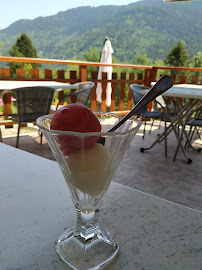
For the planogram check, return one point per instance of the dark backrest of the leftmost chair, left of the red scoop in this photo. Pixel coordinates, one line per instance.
(33, 102)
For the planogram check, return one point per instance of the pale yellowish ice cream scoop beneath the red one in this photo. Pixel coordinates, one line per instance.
(89, 170)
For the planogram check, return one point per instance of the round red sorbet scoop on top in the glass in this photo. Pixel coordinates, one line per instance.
(77, 118)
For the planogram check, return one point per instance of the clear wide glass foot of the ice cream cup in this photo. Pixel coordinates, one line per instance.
(84, 252)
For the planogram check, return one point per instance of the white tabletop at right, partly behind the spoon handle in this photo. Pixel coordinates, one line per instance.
(182, 90)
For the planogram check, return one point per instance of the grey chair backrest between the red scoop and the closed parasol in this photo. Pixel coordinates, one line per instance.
(84, 95)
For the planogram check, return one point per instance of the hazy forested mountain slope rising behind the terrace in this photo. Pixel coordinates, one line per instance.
(148, 26)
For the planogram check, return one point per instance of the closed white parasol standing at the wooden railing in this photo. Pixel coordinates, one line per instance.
(106, 57)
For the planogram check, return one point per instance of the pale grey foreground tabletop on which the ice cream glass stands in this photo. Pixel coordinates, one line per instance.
(35, 208)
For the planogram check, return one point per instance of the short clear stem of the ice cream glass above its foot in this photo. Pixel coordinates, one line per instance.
(87, 225)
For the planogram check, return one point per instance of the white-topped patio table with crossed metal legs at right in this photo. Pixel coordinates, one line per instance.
(193, 93)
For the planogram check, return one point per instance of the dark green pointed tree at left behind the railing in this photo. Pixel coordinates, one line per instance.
(23, 48)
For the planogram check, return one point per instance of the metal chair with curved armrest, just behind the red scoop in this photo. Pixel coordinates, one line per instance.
(83, 94)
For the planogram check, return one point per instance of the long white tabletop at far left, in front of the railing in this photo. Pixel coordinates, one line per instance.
(8, 85)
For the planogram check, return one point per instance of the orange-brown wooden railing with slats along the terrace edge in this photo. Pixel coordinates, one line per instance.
(121, 97)
